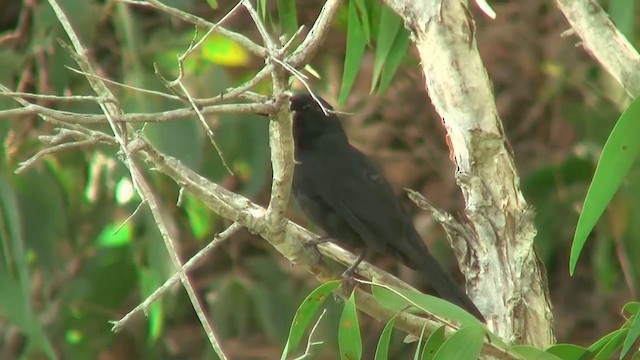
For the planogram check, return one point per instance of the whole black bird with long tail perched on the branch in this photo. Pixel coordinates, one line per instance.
(343, 193)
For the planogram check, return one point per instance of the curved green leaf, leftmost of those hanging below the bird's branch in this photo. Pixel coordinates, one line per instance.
(305, 313)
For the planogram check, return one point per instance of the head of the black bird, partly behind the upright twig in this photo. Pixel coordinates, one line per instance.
(310, 122)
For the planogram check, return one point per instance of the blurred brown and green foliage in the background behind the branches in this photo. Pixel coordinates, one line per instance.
(70, 261)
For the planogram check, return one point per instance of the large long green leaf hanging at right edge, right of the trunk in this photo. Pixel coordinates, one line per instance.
(618, 154)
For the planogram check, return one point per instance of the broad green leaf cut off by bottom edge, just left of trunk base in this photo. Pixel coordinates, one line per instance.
(465, 343)
